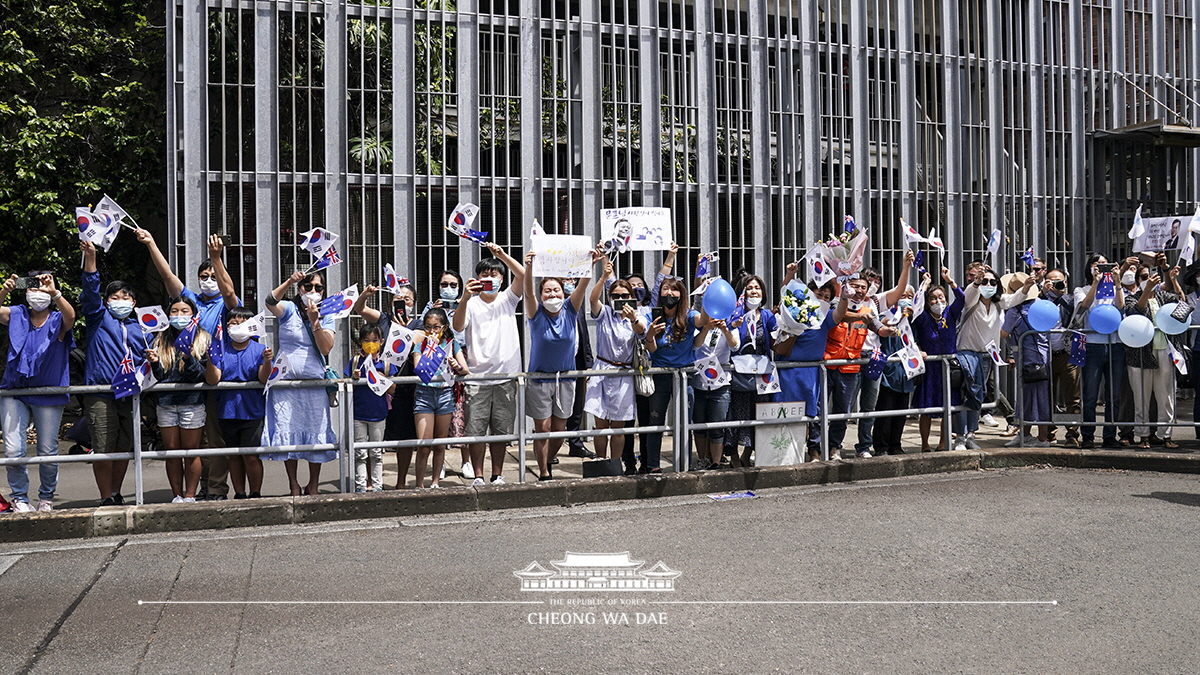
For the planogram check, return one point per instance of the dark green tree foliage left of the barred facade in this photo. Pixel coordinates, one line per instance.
(83, 115)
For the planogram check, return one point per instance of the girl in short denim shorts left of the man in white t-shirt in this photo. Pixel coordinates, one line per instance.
(435, 401)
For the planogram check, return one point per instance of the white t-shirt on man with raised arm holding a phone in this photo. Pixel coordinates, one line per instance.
(494, 344)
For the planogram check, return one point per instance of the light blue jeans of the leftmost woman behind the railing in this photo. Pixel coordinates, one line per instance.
(16, 417)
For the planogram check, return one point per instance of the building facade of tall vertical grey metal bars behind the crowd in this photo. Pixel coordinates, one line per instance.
(759, 123)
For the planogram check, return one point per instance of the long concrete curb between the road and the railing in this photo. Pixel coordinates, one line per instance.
(105, 522)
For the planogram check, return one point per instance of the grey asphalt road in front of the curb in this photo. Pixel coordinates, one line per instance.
(1016, 571)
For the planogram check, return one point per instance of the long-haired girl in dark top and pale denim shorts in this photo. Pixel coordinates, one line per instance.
(178, 356)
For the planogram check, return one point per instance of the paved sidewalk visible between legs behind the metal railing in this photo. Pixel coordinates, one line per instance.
(77, 488)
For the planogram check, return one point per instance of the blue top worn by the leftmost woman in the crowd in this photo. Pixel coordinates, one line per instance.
(37, 357)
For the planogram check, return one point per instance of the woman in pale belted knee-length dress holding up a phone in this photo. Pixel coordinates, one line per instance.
(611, 399)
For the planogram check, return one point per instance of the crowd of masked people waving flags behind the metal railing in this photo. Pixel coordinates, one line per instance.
(475, 324)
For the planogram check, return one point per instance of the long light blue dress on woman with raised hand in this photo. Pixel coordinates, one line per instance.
(299, 417)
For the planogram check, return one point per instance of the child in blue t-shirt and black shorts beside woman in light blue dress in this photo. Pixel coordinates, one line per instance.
(242, 411)
